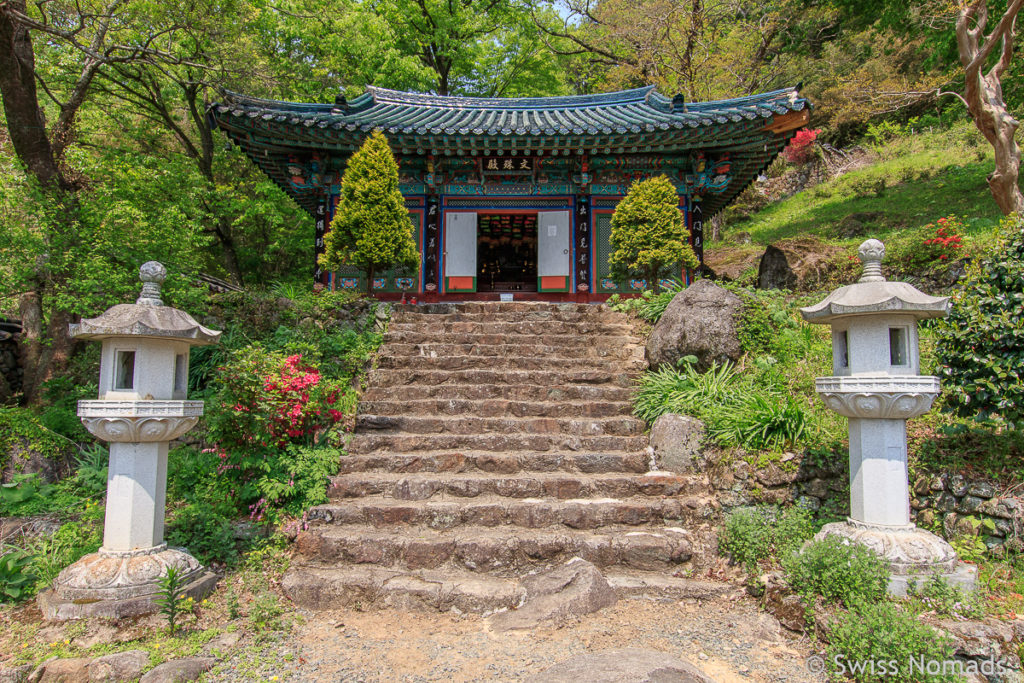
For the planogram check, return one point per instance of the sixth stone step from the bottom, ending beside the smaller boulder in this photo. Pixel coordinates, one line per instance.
(367, 443)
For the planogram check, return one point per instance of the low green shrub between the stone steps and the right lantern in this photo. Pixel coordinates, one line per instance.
(754, 535)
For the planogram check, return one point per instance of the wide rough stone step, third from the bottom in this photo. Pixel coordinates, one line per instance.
(491, 510)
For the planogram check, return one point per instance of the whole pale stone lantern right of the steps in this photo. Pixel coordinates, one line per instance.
(877, 385)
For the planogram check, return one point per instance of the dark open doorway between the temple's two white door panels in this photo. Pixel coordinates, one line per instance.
(506, 255)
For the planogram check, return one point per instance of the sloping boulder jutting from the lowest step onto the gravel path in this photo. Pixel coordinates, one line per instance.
(574, 589)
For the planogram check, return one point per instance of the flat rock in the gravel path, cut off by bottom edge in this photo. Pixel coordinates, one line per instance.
(625, 666)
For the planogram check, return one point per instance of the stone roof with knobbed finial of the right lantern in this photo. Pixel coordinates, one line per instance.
(873, 294)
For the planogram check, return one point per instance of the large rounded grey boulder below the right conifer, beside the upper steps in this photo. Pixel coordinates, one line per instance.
(702, 321)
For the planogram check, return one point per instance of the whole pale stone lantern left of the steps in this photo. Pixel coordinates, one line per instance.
(144, 377)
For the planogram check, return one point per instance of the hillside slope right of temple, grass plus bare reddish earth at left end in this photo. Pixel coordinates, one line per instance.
(908, 183)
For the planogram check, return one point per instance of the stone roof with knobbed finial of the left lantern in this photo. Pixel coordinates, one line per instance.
(147, 318)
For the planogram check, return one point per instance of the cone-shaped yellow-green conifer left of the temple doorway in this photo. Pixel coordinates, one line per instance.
(371, 229)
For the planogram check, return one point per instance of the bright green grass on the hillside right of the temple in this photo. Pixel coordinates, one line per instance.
(922, 178)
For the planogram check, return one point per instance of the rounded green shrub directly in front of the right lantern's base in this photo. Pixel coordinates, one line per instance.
(837, 571)
